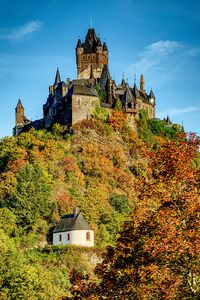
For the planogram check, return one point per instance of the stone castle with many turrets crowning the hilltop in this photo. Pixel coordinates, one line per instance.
(72, 101)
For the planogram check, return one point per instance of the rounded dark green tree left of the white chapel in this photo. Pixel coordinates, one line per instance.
(31, 200)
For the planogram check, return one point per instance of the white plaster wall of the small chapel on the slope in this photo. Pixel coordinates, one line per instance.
(77, 237)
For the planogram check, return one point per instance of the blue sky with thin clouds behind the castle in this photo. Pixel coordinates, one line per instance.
(157, 38)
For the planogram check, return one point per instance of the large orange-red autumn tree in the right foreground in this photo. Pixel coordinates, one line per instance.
(157, 253)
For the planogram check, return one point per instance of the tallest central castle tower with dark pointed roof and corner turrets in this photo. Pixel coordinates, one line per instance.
(91, 55)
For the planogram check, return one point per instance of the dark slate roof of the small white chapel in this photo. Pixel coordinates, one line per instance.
(72, 222)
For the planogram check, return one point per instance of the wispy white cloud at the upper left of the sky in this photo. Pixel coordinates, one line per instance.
(19, 33)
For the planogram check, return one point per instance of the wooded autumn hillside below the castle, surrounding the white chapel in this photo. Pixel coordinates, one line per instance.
(97, 166)
